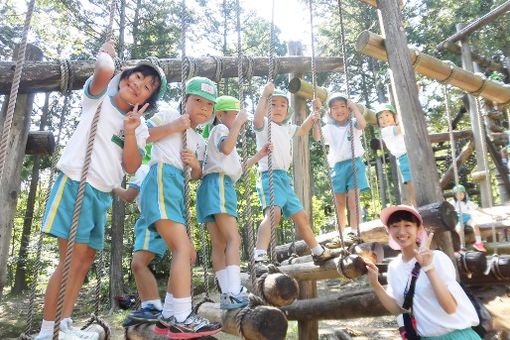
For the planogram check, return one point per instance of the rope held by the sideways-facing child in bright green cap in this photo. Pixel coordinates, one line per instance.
(244, 143)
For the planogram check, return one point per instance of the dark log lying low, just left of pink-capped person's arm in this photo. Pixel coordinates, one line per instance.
(349, 305)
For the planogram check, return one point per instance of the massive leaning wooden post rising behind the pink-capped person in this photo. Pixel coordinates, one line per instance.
(412, 119)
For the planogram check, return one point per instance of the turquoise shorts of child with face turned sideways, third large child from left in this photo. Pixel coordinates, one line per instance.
(216, 195)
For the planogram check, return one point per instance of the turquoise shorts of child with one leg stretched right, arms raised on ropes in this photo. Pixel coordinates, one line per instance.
(284, 195)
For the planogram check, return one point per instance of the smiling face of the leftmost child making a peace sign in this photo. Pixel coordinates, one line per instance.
(137, 88)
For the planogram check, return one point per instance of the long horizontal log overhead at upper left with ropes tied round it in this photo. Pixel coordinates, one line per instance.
(45, 76)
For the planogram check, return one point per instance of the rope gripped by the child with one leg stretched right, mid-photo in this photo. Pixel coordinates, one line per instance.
(271, 76)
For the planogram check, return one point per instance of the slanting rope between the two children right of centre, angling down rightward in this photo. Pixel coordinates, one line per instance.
(322, 141)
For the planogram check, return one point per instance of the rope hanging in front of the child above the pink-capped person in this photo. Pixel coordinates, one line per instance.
(351, 124)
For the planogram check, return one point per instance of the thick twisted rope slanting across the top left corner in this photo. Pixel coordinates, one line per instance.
(9, 116)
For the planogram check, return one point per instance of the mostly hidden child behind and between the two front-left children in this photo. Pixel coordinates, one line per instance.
(148, 245)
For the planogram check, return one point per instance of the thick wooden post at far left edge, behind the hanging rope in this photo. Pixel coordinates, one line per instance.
(10, 182)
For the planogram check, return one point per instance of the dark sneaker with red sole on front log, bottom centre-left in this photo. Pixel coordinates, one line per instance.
(193, 327)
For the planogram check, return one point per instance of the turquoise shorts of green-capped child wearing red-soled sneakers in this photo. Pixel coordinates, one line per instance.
(162, 195)
